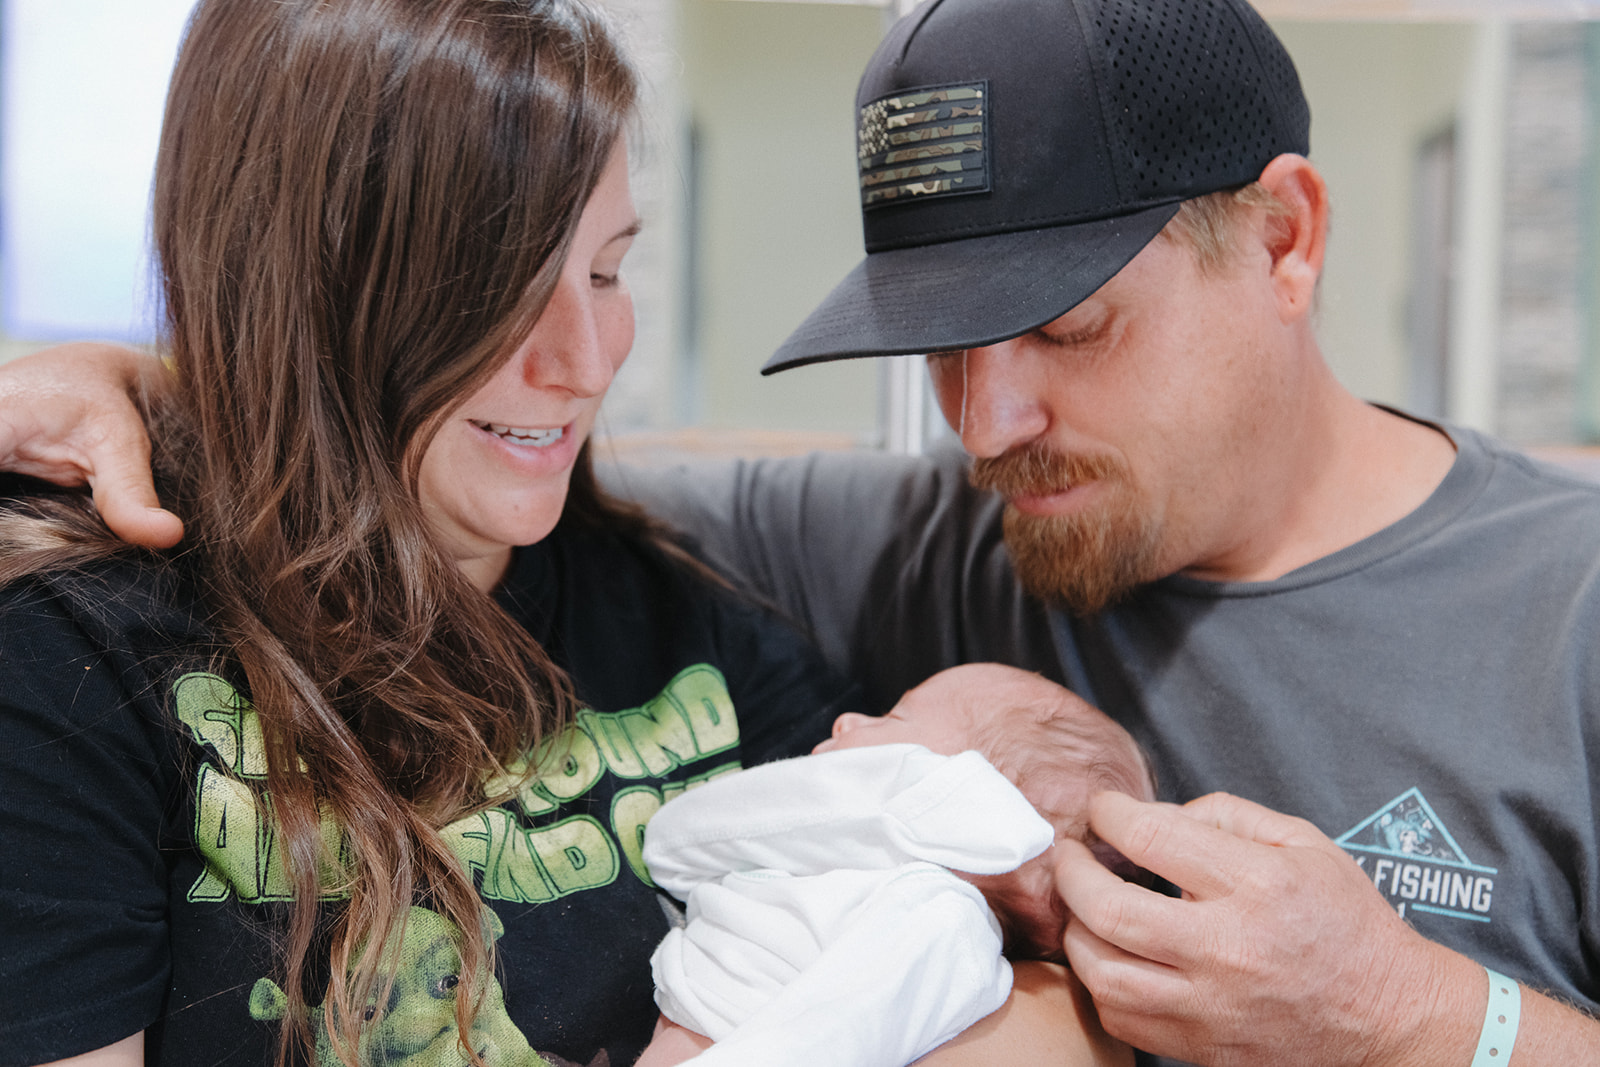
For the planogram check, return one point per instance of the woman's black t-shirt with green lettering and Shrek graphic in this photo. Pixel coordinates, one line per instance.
(140, 889)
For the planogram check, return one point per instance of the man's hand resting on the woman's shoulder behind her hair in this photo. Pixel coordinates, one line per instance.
(66, 415)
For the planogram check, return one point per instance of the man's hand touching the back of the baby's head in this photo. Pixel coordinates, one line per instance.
(1279, 953)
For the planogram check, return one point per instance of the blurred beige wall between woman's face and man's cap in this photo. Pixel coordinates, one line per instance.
(772, 89)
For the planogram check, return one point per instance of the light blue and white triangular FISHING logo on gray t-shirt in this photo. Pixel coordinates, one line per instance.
(1414, 861)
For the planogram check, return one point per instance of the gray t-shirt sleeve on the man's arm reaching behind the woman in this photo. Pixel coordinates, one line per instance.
(894, 565)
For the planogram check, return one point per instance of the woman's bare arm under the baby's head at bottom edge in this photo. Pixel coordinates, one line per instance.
(1049, 1020)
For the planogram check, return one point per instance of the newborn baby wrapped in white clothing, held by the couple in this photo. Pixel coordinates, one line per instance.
(850, 908)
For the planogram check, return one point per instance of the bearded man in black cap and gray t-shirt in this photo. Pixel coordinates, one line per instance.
(1100, 218)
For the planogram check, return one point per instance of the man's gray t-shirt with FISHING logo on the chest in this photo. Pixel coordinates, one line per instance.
(1428, 697)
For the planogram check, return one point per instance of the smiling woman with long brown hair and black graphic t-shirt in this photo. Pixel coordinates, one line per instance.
(350, 777)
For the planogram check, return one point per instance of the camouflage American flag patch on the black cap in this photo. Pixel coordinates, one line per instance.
(924, 143)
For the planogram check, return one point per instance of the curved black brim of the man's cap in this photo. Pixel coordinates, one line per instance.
(967, 294)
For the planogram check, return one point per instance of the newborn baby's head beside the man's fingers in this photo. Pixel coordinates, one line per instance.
(1055, 748)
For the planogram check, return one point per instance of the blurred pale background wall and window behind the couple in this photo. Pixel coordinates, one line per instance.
(1458, 138)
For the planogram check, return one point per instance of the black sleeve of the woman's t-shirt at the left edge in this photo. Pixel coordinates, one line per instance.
(82, 885)
